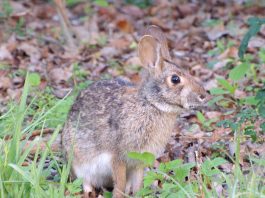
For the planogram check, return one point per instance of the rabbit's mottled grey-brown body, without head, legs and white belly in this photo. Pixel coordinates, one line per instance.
(112, 116)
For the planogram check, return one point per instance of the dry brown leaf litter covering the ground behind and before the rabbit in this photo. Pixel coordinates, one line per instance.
(106, 38)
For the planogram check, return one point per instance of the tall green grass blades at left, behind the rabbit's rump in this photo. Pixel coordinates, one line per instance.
(30, 180)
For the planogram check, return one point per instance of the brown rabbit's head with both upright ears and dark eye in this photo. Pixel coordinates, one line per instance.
(166, 85)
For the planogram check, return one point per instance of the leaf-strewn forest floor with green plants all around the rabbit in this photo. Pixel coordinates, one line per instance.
(204, 39)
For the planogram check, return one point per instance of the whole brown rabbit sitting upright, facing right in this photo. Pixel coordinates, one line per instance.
(114, 117)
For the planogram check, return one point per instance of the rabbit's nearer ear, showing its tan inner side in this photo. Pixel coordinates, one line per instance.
(149, 51)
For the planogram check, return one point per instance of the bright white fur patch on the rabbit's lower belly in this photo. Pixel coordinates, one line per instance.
(96, 172)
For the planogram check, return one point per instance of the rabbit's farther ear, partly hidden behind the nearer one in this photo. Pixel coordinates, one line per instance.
(157, 33)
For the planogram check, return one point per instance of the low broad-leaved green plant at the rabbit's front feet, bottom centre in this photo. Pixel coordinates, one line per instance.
(176, 179)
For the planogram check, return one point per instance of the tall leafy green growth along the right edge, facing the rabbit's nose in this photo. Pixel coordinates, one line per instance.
(246, 111)
